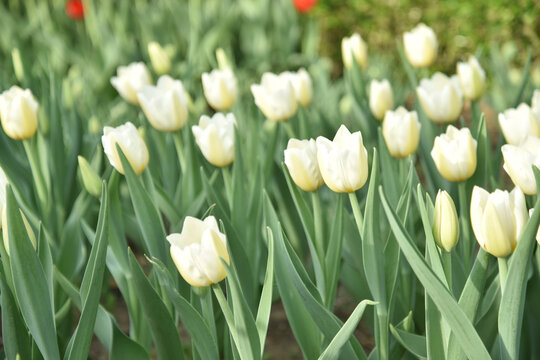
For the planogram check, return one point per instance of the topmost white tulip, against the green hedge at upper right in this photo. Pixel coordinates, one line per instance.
(420, 46)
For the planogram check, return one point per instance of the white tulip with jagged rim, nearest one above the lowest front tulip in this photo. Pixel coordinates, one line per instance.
(215, 137)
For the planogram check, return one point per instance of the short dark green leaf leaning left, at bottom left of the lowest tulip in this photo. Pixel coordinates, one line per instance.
(161, 323)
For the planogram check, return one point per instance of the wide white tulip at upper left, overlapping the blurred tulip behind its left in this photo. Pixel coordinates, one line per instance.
(165, 105)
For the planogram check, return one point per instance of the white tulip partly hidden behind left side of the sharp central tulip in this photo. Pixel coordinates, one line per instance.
(301, 160)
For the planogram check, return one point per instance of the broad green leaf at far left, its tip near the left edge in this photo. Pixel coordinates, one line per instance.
(30, 283)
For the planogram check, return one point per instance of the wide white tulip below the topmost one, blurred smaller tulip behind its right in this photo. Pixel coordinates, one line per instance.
(440, 97)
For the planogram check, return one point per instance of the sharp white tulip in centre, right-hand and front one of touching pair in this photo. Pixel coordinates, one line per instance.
(343, 162)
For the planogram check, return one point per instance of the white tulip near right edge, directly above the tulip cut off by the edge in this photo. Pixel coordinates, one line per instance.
(517, 124)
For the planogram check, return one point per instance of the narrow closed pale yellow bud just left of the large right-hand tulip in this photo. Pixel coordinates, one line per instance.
(445, 221)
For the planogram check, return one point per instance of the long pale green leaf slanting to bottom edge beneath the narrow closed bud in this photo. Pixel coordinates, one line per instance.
(459, 323)
